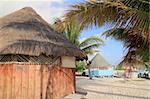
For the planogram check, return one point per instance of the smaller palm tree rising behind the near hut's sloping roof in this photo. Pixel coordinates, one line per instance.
(72, 32)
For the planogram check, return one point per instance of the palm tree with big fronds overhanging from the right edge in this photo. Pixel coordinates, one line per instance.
(130, 20)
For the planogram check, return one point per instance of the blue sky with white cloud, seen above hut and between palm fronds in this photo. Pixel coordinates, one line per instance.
(112, 51)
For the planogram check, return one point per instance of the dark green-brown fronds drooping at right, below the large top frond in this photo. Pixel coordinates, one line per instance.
(137, 45)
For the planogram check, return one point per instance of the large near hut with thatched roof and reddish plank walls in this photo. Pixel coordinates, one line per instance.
(36, 62)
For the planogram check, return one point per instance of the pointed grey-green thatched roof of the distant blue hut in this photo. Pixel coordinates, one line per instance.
(99, 62)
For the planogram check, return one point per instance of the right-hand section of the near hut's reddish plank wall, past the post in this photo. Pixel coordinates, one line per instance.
(63, 82)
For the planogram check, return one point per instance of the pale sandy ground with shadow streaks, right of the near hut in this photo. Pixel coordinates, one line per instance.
(113, 88)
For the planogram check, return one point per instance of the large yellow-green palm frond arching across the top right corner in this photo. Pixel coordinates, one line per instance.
(123, 13)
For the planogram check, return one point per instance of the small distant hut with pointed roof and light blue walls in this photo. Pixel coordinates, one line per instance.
(100, 67)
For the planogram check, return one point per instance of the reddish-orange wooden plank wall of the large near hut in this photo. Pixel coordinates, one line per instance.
(28, 81)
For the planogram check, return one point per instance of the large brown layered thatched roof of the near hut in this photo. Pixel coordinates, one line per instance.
(25, 32)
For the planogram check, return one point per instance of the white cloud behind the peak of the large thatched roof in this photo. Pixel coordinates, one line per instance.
(44, 8)
